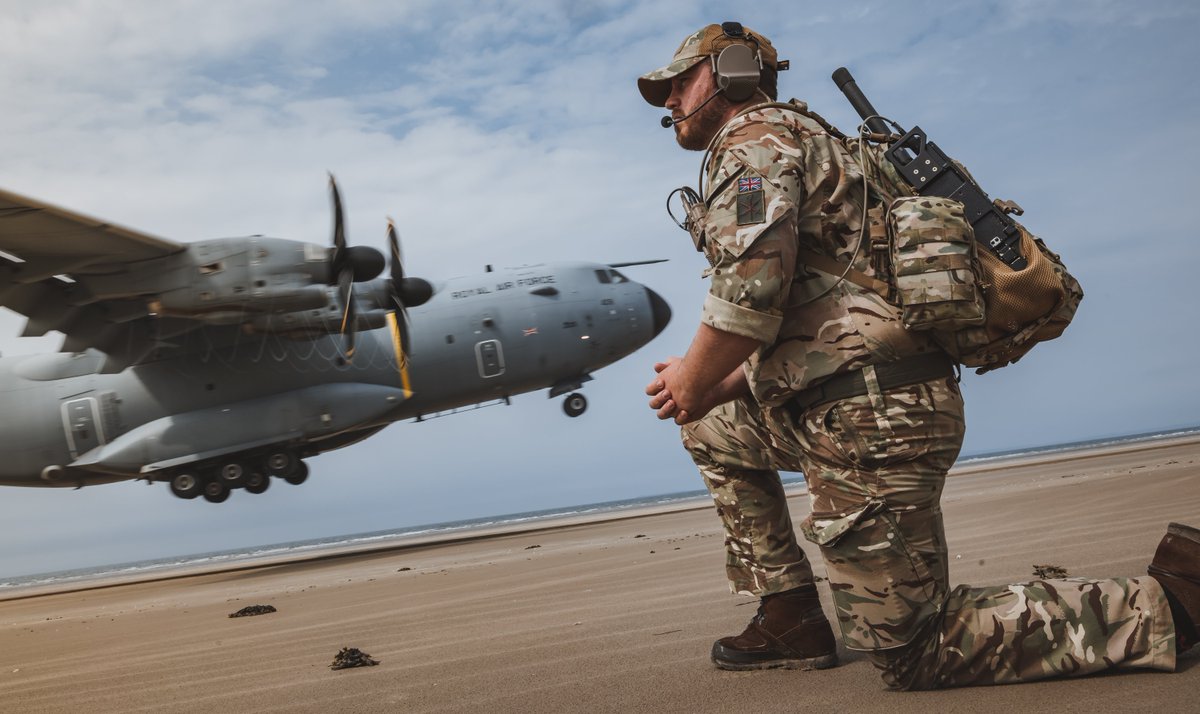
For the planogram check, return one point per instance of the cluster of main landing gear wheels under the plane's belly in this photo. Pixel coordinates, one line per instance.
(215, 482)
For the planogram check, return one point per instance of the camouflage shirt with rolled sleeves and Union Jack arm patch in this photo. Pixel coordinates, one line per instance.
(779, 185)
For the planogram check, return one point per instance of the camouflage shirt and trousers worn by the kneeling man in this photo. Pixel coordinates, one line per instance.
(875, 464)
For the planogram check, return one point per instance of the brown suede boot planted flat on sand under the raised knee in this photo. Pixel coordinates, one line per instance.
(789, 632)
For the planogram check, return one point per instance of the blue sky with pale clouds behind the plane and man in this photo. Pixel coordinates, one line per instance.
(512, 133)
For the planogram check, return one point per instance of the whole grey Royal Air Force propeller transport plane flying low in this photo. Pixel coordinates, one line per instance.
(220, 364)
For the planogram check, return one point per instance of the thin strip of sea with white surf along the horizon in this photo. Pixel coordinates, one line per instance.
(218, 560)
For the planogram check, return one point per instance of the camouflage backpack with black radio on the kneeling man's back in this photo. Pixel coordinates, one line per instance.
(955, 261)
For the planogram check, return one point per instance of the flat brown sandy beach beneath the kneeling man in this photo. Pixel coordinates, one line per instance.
(609, 616)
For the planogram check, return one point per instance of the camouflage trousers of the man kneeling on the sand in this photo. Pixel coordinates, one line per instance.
(875, 467)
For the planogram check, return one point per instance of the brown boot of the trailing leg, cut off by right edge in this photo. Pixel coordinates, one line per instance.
(1177, 567)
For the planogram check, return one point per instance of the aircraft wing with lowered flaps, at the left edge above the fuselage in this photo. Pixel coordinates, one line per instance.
(44, 247)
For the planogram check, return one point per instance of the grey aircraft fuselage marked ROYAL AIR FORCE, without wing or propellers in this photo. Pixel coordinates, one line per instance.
(202, 403)
